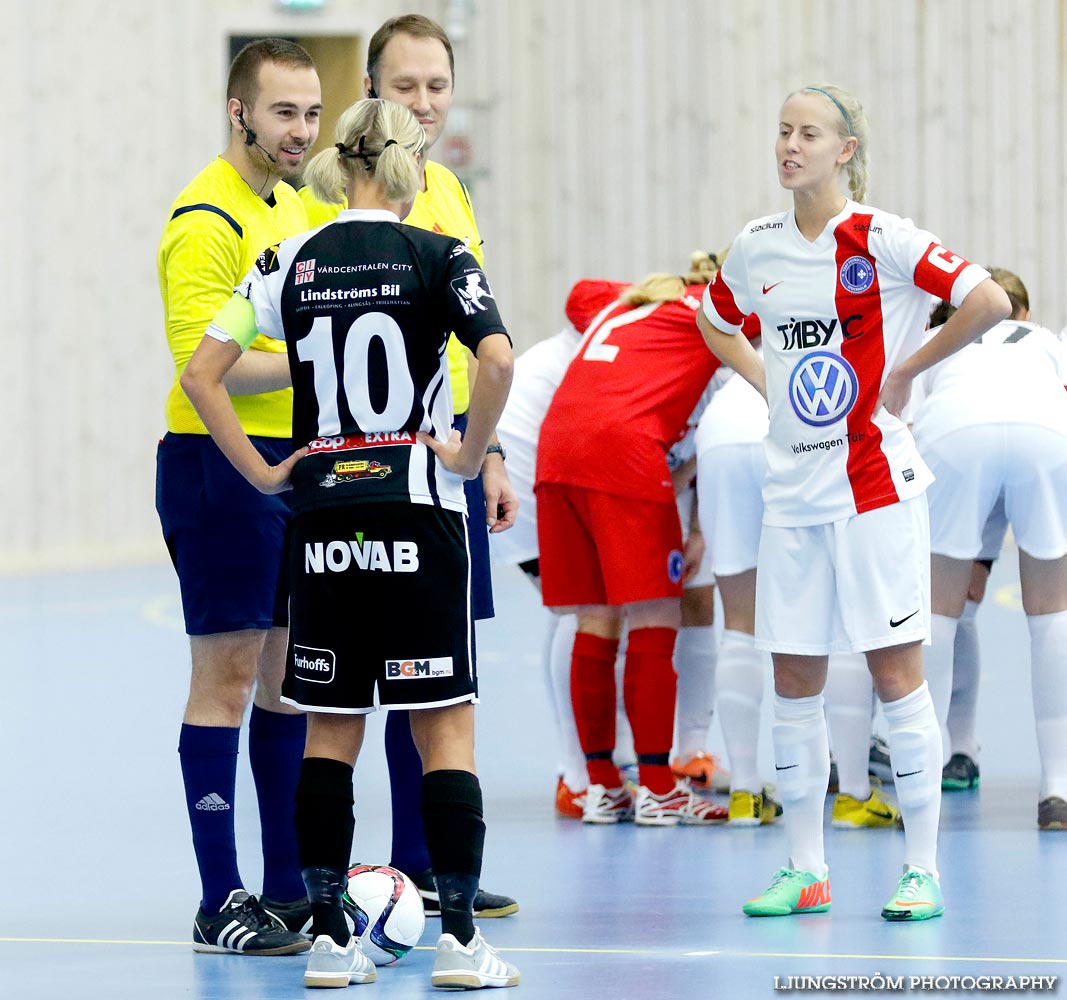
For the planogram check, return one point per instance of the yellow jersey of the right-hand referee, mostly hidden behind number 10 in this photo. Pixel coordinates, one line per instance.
(443, 208)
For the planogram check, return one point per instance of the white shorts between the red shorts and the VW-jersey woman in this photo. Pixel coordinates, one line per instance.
(730, 486)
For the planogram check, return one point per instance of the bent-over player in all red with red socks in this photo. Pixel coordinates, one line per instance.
(609, 529)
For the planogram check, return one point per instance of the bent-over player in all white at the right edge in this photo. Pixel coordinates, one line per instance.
(992, 422)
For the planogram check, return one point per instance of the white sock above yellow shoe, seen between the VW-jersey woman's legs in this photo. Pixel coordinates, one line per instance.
(848, 696)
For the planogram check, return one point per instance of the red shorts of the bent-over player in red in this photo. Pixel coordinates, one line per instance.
(598, 548)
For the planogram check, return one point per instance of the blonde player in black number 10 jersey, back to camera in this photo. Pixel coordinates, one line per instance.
(379, 566)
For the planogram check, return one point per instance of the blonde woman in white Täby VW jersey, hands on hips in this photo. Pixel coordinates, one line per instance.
(842, 295)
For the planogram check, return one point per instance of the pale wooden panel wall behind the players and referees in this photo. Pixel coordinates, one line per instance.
(610, 138)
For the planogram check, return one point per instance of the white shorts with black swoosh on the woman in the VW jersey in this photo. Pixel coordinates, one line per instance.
(850, 586)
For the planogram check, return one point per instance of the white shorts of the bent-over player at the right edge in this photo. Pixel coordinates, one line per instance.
(1024, 464)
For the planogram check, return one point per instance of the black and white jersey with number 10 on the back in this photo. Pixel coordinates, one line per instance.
(365, 307)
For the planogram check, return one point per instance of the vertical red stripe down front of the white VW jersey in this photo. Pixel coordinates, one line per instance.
(867, 466)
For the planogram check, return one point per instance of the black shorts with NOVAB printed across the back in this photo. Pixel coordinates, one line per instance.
(380, 599)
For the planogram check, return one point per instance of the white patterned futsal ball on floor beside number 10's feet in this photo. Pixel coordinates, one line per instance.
(388, 910)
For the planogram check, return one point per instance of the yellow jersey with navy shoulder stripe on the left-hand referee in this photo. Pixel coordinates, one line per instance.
(217, 228)
